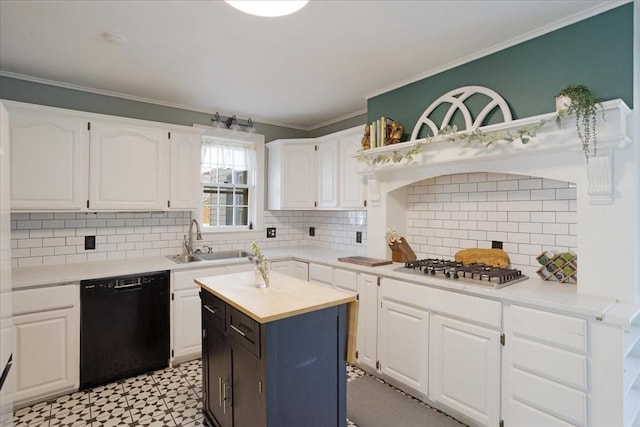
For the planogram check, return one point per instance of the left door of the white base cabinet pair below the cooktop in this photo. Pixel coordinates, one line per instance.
(403, 343)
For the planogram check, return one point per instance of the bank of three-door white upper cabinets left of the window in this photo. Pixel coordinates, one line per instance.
(64, 160)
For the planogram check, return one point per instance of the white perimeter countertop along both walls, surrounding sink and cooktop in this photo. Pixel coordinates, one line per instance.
(534, 291)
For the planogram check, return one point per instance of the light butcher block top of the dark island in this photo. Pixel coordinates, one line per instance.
(286, 296)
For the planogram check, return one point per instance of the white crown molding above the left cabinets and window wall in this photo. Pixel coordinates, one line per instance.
(198, 109)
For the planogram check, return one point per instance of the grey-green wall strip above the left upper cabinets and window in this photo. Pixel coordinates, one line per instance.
(55, 96)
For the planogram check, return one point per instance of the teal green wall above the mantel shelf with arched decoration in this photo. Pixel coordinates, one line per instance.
(597, 52)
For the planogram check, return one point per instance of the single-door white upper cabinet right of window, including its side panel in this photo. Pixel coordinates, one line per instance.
(292, 175)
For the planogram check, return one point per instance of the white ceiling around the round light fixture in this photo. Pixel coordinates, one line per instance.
(303, 71)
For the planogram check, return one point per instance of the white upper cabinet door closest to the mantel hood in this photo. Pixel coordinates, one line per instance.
(352, 184)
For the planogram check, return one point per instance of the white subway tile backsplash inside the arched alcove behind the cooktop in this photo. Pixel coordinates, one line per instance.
(528, 214)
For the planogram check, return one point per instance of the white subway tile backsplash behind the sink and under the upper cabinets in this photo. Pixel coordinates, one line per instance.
(58, 238)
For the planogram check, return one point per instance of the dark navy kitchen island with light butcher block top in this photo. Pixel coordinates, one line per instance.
(273, 356)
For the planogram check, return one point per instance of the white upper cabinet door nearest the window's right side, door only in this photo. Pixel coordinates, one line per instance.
(299, 178)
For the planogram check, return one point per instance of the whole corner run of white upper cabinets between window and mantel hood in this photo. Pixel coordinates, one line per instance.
(316, 172)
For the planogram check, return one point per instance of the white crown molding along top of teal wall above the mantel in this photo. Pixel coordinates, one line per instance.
(501, 46)
